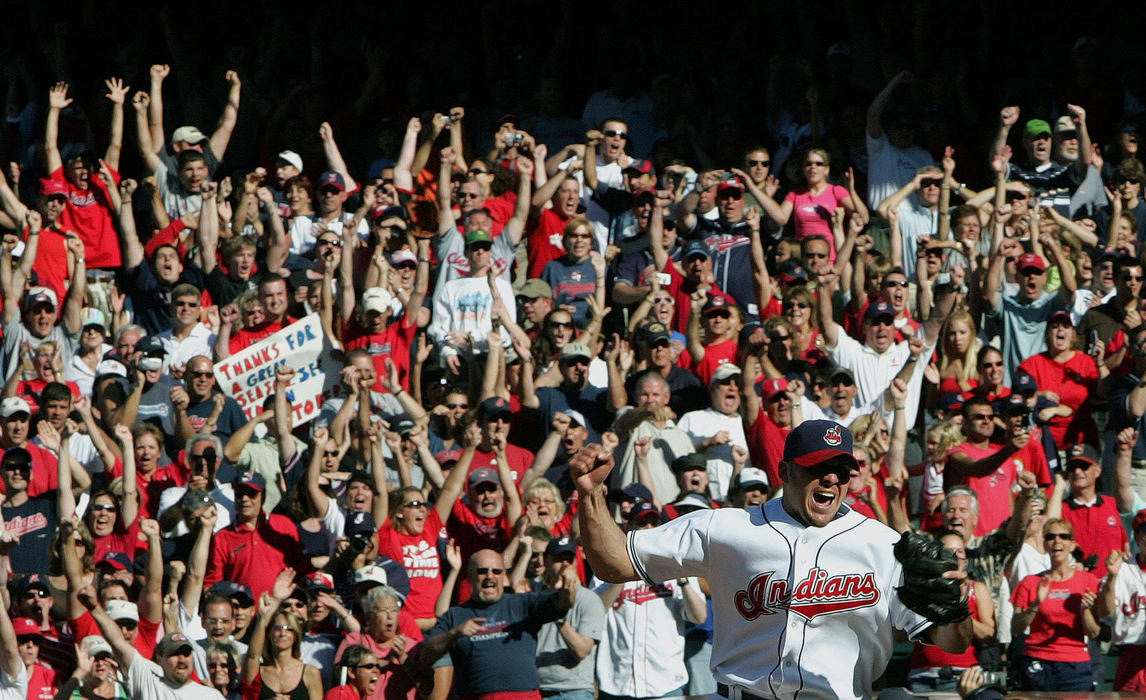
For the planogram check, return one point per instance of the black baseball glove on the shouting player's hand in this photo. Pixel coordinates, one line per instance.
(925, 591)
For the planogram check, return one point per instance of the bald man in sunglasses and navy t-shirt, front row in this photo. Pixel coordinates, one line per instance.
(492, 639)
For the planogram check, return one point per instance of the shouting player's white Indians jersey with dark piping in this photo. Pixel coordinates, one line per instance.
(798, 611)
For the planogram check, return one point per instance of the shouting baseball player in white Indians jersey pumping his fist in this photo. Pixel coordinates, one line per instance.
(804, 589)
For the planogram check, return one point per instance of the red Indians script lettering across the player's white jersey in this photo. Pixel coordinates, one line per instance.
(818, 595)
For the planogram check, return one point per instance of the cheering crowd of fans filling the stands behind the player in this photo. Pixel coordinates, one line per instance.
(493, 296)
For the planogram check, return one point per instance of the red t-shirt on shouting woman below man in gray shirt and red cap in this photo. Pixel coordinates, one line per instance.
(1076, 382)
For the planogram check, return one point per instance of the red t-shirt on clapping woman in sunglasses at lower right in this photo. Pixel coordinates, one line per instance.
(1057, 633)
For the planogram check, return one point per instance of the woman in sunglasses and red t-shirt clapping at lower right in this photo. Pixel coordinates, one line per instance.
(1058, 608)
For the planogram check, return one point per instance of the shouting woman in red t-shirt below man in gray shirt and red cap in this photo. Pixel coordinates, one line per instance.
(1074, 377)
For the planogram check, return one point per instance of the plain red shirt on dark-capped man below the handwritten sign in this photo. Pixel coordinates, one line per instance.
(256, 556)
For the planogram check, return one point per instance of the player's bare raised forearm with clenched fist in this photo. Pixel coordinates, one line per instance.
(603, 540)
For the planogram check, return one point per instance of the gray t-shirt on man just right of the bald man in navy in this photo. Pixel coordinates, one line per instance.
(559, 667)
